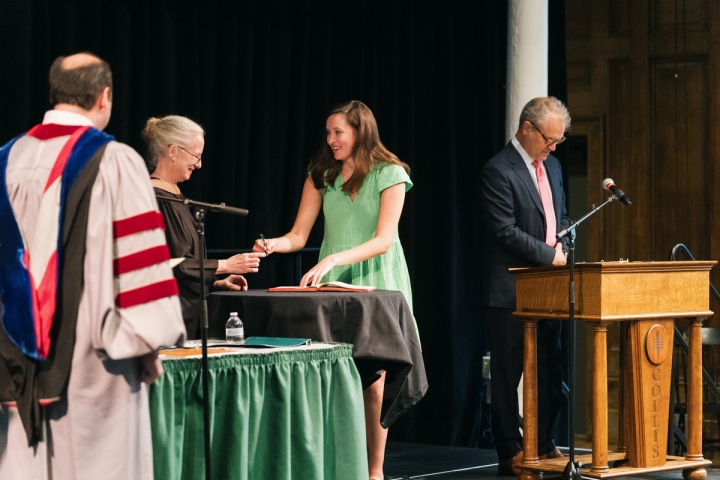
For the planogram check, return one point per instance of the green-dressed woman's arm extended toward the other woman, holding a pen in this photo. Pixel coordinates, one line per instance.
(296, 238)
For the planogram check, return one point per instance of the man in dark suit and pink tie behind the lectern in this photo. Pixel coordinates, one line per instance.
(523, 205)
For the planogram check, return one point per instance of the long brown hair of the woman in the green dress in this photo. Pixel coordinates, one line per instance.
(367, 151)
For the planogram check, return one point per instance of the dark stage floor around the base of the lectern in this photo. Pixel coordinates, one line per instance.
(412, 461)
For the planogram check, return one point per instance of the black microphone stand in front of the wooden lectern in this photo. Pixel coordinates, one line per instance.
(572, 469)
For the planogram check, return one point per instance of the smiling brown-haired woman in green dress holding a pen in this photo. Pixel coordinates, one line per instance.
(360, 186)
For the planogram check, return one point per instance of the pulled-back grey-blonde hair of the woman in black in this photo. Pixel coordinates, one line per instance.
(159, 133)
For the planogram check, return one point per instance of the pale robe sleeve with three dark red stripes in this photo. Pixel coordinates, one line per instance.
(144, 310)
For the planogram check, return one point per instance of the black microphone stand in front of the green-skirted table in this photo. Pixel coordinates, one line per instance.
(200, 228)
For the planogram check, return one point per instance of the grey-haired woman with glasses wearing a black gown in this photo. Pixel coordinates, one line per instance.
(175, 145)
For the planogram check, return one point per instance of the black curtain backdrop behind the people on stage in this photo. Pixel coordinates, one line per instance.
(260, 76)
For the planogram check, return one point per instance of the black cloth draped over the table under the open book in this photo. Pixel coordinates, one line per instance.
(378, 324)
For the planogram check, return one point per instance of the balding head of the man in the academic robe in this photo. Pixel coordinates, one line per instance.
(82, 83)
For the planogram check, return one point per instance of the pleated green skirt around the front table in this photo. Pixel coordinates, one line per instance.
(276, 415)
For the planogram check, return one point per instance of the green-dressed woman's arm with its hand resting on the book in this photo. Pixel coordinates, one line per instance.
(391, 204)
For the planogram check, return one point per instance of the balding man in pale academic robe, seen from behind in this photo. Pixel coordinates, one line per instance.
(87, 292)
